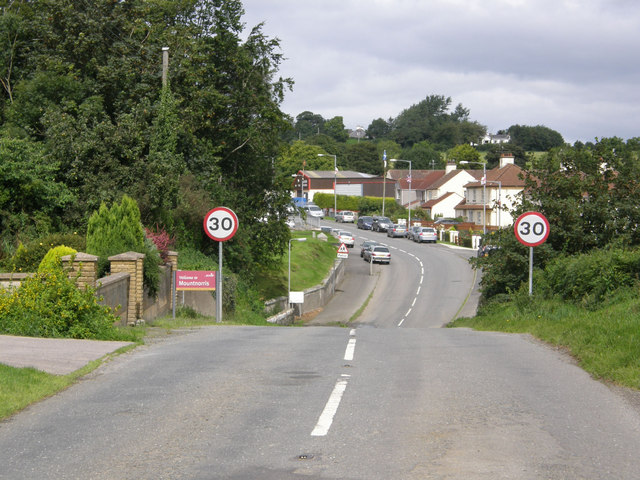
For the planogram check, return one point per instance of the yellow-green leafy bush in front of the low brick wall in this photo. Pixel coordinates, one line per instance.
(50, 305)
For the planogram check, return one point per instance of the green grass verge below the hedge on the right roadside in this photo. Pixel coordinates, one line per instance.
(605, 342)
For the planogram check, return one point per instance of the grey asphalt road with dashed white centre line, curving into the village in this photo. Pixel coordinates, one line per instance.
(386, 399)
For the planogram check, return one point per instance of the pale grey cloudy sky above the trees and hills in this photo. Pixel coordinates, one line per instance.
(570, 65)
